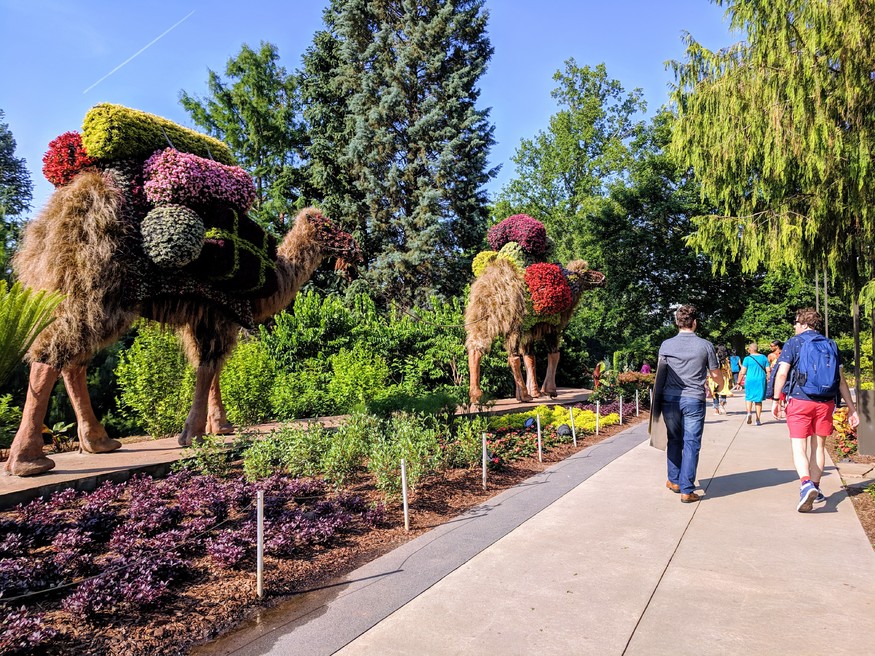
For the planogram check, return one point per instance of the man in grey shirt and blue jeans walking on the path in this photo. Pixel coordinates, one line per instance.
(689, 360)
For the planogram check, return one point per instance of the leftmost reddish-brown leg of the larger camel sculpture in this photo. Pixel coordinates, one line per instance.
(26, 453)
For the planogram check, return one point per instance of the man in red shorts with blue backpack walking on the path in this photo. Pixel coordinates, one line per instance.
(809, 374)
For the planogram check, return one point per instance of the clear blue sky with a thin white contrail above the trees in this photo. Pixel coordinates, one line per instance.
(57, 56)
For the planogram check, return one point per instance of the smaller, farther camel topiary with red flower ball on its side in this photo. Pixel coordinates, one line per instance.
(522, 304)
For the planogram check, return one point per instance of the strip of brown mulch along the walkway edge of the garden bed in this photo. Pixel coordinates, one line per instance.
(216, 602)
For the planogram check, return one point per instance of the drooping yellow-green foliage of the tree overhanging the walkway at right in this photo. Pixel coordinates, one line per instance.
(780, 131)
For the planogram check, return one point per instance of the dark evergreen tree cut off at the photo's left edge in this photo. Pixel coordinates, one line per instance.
(16, 191)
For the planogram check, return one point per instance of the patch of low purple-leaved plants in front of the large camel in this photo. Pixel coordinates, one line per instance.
(132, 545)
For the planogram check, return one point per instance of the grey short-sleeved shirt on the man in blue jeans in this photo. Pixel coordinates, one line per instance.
(689, 358)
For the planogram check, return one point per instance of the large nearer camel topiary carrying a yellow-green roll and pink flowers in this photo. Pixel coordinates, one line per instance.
(203, 280)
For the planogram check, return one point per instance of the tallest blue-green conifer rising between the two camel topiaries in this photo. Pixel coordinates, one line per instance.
(399, 148)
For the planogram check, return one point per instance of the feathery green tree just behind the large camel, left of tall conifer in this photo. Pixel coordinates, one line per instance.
(257, 112)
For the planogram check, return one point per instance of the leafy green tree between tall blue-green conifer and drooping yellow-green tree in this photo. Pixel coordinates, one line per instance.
(564, 173)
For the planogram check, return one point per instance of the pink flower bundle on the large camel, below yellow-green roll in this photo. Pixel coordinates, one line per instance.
(185, 179)
